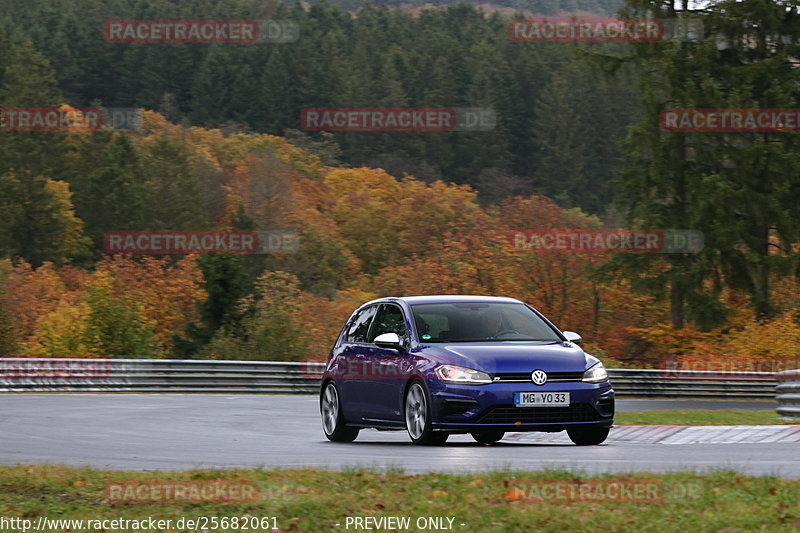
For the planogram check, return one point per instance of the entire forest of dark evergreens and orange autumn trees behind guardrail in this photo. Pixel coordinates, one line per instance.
(219, 146)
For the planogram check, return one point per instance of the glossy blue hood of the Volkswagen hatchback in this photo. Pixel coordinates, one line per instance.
(512, 356)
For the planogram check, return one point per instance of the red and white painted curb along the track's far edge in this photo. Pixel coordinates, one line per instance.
(678, 435)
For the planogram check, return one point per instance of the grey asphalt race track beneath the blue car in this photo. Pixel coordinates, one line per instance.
(172, 431)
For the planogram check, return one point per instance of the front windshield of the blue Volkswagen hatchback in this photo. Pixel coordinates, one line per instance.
(480, 322)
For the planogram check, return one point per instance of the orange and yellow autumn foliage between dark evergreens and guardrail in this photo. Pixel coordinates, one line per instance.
(365, 234)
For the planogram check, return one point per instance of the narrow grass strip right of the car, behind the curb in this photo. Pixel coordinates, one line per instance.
(700, 417)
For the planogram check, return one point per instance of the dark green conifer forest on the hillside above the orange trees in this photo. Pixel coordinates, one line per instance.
(558, 123)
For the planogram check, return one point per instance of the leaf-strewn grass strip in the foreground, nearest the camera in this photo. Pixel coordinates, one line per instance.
(317, 500)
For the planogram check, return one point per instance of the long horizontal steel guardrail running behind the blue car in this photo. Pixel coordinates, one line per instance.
(187, 376)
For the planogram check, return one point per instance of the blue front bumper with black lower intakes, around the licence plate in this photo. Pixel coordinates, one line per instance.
(471, 408)
